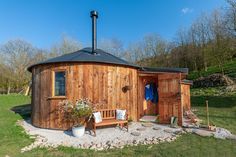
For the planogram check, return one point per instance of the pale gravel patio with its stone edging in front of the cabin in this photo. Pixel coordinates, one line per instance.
(107, 138)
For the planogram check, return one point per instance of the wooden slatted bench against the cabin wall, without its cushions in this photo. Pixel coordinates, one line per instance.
(109, 118)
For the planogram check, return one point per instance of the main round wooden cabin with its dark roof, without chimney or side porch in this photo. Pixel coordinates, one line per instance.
(99, 76)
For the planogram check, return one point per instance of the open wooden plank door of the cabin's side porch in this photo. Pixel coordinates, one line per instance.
(169, 98)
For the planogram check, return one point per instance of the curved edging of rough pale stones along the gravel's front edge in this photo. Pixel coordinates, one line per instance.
(118, 143)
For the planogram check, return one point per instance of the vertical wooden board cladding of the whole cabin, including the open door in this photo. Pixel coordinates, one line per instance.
(103, 84)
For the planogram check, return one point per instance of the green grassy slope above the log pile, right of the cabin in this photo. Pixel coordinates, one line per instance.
(229, 70)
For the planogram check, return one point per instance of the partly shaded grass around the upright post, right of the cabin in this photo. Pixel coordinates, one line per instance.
(222, 106)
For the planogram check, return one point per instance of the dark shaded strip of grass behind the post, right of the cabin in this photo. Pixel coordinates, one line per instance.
(214, 101)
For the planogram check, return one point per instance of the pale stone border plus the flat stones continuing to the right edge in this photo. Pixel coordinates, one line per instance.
(118, 142)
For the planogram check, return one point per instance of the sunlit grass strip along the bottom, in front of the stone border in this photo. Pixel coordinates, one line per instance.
(187, 145)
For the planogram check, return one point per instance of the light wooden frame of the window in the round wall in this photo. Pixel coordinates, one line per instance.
(54, 81)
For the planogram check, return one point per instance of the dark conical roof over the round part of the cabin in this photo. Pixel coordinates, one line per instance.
(86, 55)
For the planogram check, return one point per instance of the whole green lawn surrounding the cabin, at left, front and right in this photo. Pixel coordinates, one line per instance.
(222, 112)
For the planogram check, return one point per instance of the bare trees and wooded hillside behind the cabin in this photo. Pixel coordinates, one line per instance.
(210, 41)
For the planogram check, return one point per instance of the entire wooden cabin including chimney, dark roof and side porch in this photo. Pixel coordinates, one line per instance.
(107, 80)
